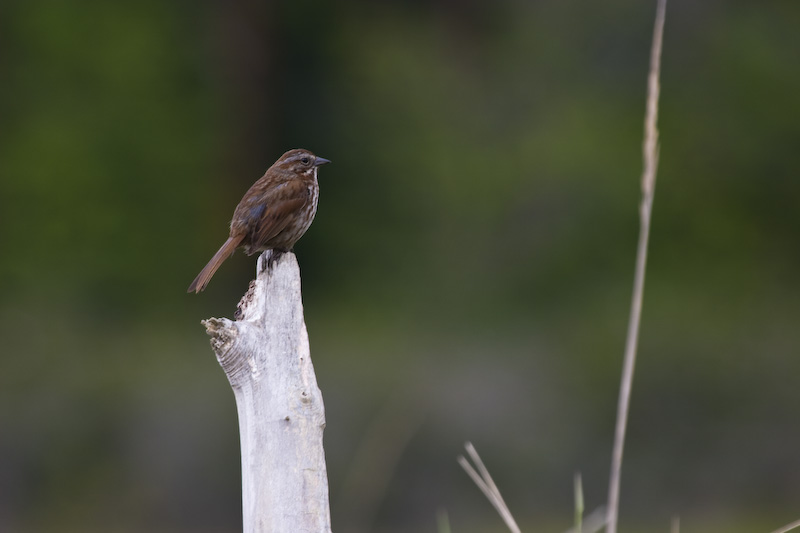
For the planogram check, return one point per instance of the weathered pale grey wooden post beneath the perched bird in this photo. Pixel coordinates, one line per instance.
(266, 356)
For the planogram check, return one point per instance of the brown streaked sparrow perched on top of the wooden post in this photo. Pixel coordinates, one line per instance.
(274, 213)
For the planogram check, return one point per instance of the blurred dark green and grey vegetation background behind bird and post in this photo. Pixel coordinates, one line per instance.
(468, 274)
